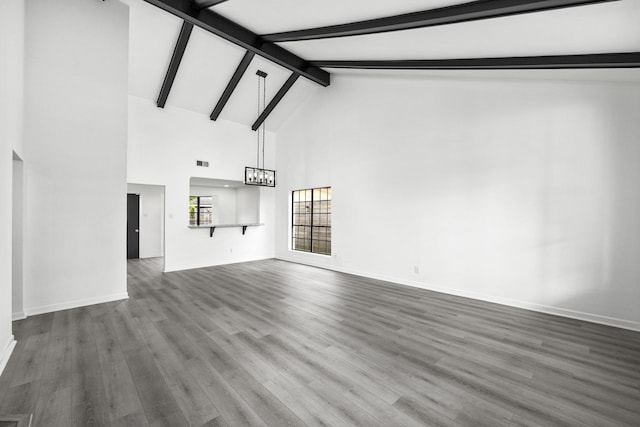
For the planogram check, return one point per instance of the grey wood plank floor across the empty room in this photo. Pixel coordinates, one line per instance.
(279, 344)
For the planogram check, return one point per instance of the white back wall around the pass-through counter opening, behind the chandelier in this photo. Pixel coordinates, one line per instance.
(164, 145)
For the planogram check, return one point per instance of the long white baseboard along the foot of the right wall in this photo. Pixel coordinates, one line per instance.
(557, 311)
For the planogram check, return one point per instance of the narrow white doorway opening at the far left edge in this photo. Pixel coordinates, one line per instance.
(17, 238)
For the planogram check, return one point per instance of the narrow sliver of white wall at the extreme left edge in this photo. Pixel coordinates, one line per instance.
(11, 101)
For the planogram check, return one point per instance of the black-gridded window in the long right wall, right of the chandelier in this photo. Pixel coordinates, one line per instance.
(311, 220)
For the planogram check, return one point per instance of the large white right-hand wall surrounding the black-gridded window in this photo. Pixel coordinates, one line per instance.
(520, 192)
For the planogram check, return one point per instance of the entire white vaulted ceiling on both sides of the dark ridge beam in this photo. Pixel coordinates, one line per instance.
(209, 62)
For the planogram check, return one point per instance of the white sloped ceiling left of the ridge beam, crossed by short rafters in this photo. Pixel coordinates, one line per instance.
(207, 65)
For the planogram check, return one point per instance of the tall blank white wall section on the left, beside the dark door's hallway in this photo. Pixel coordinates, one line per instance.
(75, 153)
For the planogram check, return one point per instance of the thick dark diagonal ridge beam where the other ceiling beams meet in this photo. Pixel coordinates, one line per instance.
(217, 24)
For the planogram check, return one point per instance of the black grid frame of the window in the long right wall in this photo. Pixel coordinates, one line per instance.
(312, 227)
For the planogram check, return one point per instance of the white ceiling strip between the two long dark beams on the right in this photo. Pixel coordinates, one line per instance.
(598, 28)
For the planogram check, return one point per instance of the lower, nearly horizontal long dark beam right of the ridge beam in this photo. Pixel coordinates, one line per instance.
(602, 60)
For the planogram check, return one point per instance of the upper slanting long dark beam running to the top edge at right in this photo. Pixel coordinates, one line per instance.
(482, 9)
